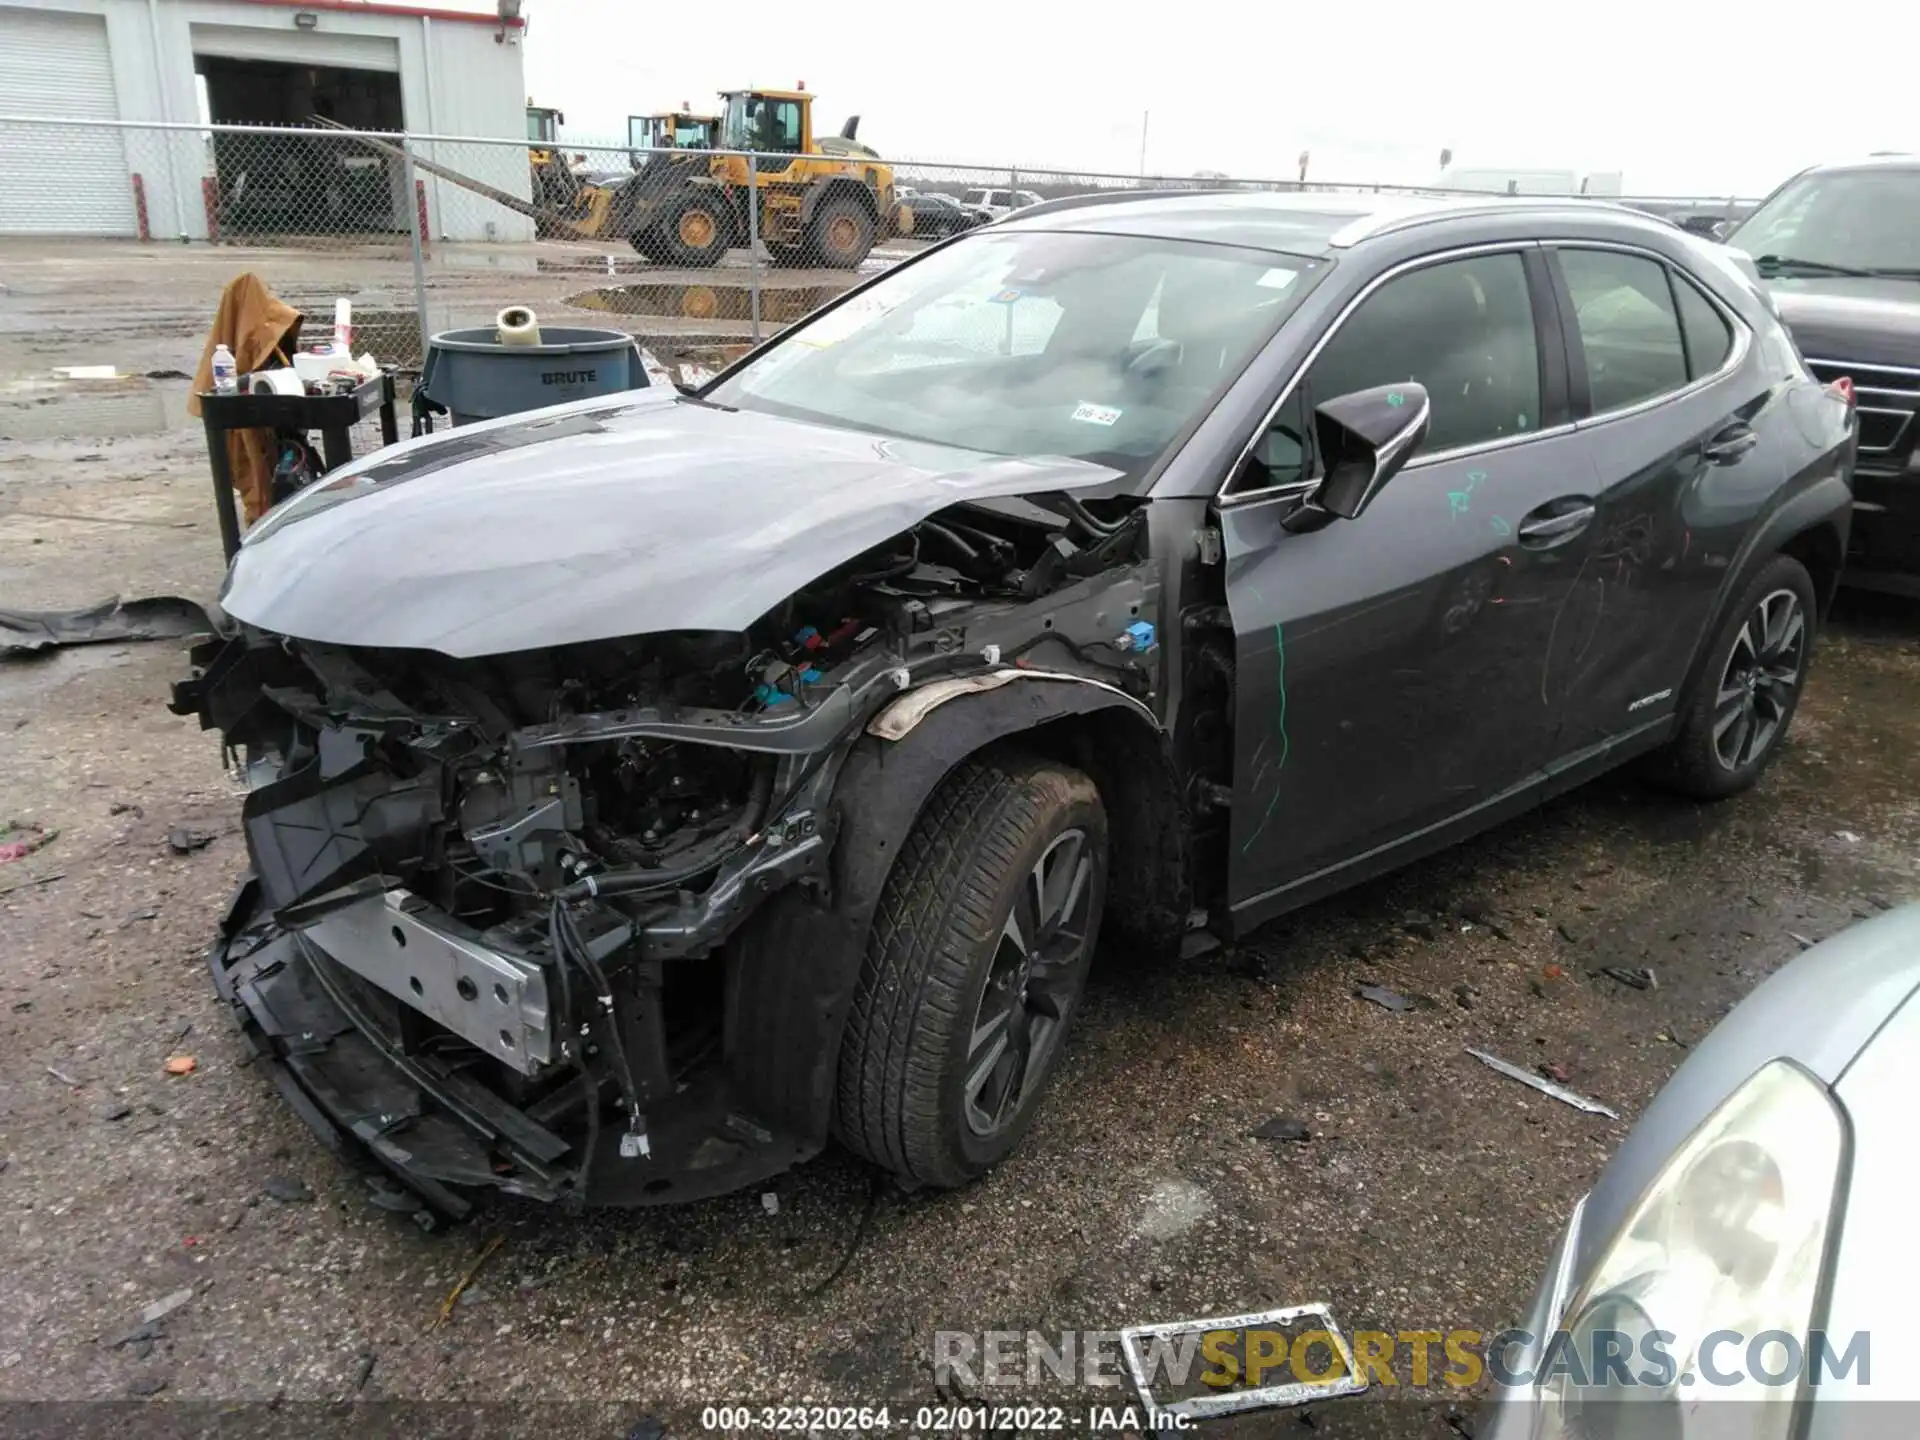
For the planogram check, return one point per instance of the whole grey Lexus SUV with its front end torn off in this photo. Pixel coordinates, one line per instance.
(648, 790)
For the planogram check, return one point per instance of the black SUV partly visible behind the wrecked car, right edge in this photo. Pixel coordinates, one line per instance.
(1840, 251)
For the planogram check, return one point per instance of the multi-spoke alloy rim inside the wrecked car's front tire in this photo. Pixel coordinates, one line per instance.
(1032, 984)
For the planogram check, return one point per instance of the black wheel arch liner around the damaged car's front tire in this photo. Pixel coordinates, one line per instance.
(792, 971)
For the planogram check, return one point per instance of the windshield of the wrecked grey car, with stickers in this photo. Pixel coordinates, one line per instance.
(1093, 347)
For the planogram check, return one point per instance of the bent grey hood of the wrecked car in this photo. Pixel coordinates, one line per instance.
(598, 519)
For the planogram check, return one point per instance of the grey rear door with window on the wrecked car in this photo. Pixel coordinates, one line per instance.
(1666, 408)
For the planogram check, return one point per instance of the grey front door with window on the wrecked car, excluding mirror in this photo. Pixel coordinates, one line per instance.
(1391, 669)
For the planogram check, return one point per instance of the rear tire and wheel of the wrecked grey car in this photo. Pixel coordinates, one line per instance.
(1746, 696)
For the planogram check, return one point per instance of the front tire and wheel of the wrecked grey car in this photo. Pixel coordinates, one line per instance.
(974, 971)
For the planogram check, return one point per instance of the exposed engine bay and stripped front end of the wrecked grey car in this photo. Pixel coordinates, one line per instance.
(516, 878)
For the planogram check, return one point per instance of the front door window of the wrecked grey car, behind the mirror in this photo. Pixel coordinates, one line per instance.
(1464, 329)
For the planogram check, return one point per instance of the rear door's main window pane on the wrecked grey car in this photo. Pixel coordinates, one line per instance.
(1627, 327)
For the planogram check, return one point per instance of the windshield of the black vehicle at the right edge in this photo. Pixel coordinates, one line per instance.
(1842, 220)
